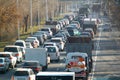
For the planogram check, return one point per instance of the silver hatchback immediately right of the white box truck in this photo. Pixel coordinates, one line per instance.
(53, 52)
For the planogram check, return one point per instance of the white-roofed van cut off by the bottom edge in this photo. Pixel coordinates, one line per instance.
(55, 76)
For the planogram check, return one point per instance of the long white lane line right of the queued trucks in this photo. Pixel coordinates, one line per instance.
(96, 55)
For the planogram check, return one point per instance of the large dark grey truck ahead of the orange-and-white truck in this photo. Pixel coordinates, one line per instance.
(82, 44)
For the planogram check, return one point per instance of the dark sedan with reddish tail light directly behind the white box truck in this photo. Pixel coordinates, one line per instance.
(34, 65)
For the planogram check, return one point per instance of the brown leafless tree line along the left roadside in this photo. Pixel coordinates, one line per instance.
(11, 11)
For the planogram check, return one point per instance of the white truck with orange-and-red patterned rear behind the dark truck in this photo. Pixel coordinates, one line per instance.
(78, 62)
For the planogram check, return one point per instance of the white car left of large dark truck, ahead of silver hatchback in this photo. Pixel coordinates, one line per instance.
(59, 41)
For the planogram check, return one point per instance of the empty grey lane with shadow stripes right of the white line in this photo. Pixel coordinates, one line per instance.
(107, 57)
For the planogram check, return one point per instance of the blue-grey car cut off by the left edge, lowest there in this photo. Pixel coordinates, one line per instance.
(4, 64)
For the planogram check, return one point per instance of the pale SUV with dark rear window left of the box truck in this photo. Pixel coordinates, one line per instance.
(16, 51)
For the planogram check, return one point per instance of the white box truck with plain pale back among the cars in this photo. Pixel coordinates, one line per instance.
(37, 54)
